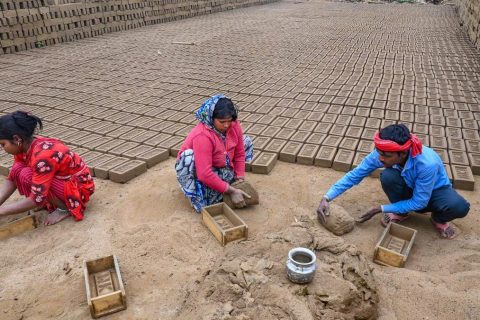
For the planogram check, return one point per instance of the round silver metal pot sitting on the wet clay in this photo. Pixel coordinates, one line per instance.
(301, 265)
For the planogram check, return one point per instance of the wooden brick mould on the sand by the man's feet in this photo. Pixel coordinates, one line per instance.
(394, 245)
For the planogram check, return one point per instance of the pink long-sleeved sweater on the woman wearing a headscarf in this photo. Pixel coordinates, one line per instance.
(210, 151)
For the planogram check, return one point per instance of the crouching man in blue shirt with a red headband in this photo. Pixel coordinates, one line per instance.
(414, 179)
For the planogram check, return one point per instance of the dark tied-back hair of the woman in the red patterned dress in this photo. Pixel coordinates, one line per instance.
(20, 123)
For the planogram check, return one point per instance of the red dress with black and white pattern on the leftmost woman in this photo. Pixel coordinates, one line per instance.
(50, 169)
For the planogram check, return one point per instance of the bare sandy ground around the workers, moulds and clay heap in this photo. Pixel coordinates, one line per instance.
(164, 248)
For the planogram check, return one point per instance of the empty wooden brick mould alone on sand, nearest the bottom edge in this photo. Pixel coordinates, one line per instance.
(104, 286)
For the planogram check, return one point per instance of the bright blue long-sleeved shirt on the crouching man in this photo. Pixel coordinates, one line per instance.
(422, 174)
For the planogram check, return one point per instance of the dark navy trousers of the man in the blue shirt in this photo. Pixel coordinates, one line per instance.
(445, 203)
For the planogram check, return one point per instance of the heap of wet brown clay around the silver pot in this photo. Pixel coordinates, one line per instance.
(251, 283)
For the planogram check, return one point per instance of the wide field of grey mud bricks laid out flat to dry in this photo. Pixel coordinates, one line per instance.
(313, 81)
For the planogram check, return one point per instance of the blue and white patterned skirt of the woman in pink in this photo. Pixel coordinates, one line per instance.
(198, 193)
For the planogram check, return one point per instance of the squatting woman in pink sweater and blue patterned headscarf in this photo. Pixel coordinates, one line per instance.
(213, 155)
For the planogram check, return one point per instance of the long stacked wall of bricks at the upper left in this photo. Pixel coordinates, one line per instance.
(28, 24)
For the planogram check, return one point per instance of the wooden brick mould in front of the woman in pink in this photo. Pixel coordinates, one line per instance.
(225, 225)
